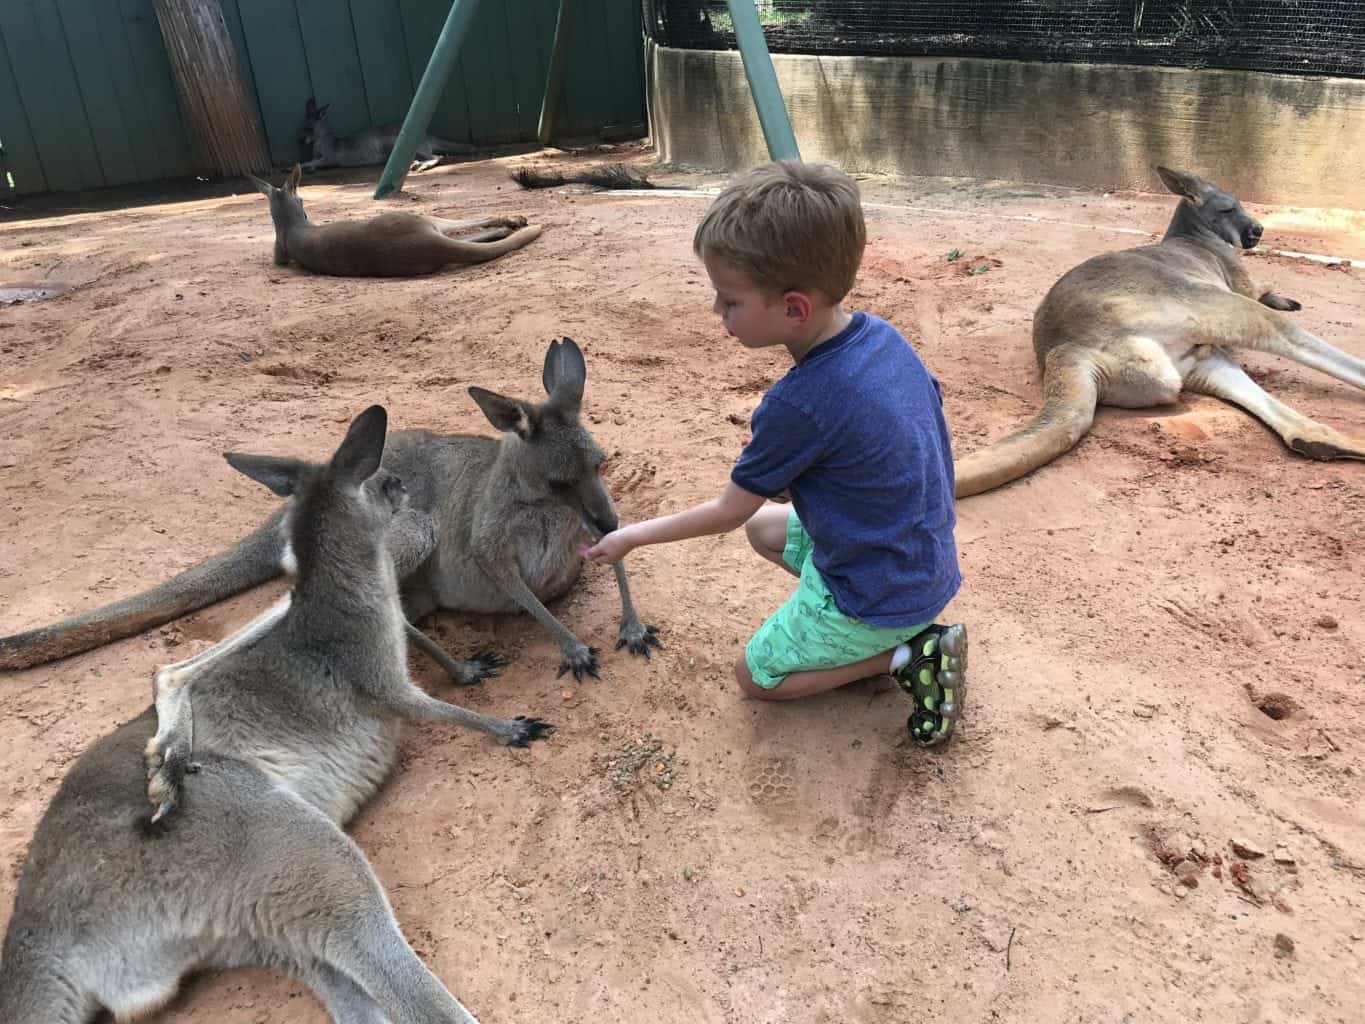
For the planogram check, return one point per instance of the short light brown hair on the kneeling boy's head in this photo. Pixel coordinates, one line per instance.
(791, 227)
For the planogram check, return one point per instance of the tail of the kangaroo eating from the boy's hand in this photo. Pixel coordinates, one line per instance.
(249, 563)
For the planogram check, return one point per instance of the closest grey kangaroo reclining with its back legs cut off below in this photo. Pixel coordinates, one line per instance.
(297, 723)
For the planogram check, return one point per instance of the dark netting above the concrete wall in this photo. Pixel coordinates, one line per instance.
(1318, 38)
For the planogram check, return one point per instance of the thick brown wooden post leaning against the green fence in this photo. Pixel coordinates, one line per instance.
(212, 94)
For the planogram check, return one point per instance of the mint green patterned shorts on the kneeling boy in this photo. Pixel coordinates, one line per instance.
(810, 631)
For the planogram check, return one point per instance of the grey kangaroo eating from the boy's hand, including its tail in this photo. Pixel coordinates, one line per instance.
(510, 514)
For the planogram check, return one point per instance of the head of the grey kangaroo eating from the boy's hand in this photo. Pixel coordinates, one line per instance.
(556, 457)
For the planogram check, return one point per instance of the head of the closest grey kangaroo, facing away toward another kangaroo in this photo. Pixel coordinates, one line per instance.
(341, 509)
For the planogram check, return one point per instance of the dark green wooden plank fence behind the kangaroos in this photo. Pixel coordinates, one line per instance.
(87, 96)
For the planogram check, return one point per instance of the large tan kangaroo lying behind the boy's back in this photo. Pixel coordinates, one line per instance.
(1135, 328)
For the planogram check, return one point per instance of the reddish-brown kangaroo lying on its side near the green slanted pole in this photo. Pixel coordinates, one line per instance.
(391, 245)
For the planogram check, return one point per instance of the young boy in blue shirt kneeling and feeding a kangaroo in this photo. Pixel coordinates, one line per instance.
(855, 433)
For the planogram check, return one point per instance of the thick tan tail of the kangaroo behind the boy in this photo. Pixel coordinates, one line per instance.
(1071, 393)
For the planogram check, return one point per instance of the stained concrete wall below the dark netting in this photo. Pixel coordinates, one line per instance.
(1269, 139)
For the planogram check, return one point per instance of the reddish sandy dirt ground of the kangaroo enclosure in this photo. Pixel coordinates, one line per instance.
(1169, 642)
